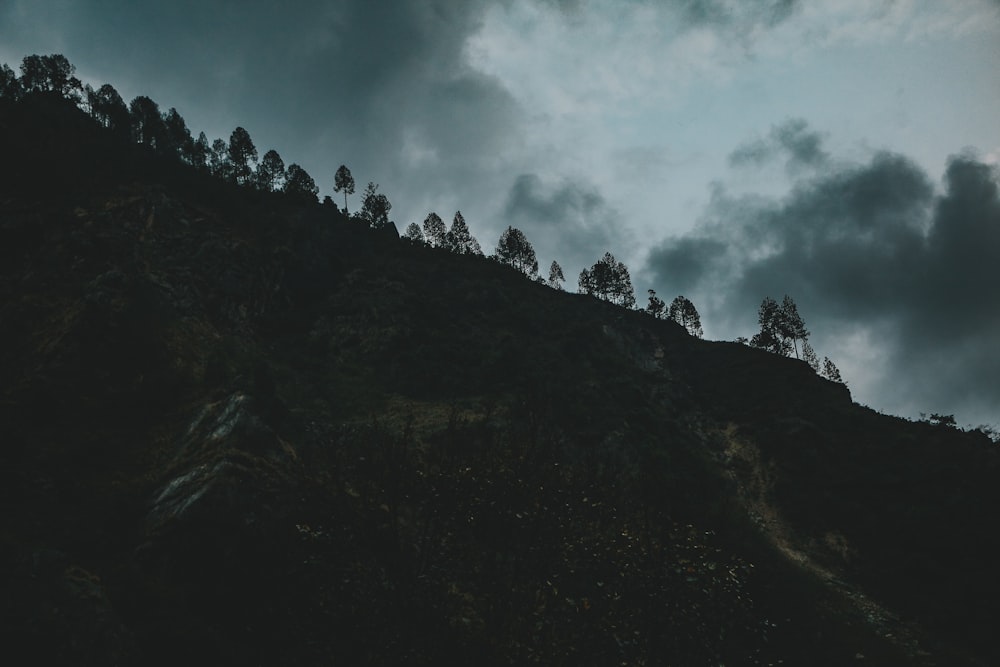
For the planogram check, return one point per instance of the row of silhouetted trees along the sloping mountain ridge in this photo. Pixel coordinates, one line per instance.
(237, 161)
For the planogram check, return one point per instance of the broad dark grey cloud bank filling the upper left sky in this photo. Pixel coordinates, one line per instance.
(366, 83)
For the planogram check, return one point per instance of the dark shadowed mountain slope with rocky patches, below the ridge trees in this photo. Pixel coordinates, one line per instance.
(243, 429)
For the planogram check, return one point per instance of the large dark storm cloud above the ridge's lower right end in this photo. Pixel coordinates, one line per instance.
(868, 247)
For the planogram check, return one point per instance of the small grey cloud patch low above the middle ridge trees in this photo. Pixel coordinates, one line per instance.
(569, 219)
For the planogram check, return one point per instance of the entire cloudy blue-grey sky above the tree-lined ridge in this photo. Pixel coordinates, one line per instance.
(843, 152)
